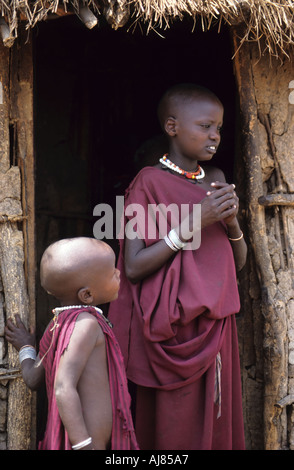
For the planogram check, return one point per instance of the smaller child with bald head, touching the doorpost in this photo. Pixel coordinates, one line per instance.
(88, 400)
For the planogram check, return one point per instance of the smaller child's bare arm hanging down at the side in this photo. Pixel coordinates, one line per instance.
(85, 337)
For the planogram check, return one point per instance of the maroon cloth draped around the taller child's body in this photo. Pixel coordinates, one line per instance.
(172, 325)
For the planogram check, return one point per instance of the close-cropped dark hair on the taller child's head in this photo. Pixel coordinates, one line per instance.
(180, 95)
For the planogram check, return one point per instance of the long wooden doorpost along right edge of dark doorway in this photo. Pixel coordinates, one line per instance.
(273, 308)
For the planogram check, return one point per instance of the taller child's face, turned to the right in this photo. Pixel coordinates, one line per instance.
(197, 131)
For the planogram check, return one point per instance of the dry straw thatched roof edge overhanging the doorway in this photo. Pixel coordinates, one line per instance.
(267, 21)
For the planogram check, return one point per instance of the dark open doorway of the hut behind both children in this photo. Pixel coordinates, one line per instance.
(96, 94)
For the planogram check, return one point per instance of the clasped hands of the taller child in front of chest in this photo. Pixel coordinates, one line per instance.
(221, 203)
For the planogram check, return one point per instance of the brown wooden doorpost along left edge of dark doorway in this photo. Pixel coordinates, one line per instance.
(22, 121)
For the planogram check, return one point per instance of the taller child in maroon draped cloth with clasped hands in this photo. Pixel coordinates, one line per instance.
(174, 318)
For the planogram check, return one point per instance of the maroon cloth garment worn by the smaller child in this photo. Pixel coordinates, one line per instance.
(56, 438)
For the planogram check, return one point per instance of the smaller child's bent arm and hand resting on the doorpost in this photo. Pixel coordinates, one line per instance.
(17, 334)
